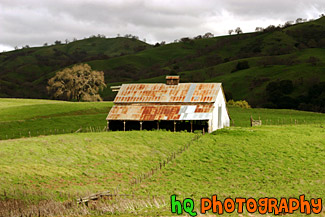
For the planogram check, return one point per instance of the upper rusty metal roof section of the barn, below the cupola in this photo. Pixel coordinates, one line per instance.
(162, 93)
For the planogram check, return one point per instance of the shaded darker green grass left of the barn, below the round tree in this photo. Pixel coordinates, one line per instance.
(28, 117)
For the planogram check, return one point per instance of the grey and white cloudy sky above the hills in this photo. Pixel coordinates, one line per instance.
(34, 22)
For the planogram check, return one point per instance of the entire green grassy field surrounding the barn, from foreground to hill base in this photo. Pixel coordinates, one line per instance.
(283, 158)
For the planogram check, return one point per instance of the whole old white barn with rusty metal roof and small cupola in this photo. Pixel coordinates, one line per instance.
(173, 106)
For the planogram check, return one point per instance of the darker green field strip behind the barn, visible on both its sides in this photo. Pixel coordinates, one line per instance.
(28, 117)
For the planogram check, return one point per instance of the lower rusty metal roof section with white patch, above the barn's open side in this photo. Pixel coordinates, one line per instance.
(160, 112)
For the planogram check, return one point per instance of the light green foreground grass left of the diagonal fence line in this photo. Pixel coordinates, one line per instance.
(78, 164)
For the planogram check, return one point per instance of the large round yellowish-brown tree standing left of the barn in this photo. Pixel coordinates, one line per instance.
(79, 83)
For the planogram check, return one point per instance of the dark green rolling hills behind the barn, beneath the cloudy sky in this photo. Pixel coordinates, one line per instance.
(275, 68)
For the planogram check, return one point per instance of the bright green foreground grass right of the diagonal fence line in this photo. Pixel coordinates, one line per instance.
(273, 161)
